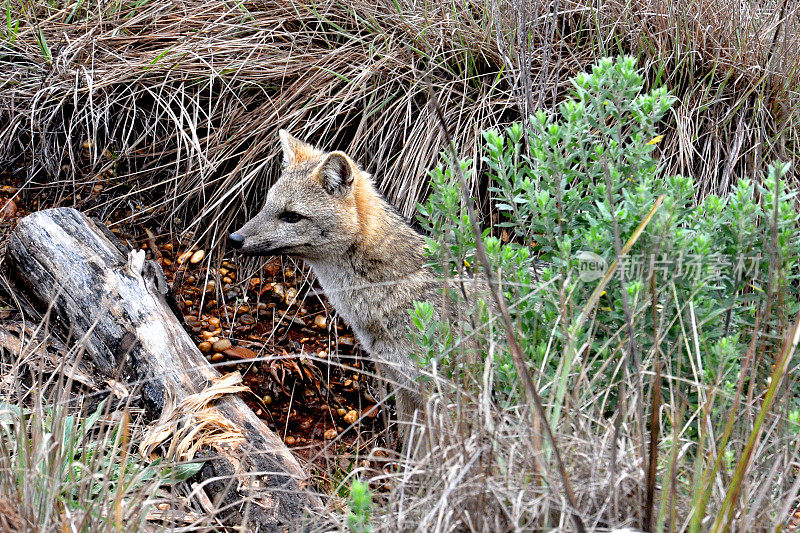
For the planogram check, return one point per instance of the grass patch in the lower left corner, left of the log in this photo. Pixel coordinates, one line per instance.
(68, 458)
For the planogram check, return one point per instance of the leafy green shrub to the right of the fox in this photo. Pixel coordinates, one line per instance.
(572, 189)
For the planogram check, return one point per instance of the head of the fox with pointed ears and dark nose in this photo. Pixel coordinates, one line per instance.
(317, 209)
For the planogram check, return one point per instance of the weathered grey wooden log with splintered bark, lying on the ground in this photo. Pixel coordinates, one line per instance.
(113, 305)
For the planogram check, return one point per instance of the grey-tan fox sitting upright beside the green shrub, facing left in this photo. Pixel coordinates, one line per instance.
(368, 259)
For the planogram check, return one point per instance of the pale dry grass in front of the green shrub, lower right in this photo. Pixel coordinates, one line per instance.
(487, 469)
